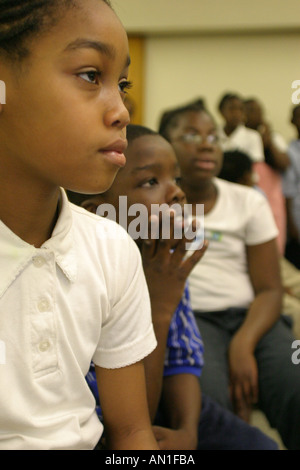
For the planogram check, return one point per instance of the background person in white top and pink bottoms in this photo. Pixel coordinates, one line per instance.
(269, 173)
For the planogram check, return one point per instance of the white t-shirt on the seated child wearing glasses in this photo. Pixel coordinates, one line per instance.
(241, 216)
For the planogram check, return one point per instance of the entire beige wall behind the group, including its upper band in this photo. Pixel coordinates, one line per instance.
(206, 47)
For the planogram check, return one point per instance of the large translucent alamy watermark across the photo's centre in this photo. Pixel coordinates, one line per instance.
(163, 222)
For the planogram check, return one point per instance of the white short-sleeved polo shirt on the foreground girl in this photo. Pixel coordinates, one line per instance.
(81, 296)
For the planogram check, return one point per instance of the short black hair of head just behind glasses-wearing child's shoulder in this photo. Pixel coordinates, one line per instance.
(235, 165)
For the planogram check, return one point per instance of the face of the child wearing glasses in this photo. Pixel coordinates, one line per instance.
(198, 161)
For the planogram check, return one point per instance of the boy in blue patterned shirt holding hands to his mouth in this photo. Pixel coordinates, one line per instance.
(186, 418)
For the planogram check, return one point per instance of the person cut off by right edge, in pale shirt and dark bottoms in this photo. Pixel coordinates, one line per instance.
(291, 189)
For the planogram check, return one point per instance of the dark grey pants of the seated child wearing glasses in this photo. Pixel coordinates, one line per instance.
(279, 378)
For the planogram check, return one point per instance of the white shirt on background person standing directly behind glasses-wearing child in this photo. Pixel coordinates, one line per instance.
(243, 139)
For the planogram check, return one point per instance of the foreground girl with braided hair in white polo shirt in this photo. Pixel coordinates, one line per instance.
(69, 293)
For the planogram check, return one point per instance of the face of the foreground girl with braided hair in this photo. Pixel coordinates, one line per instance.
(64, 120)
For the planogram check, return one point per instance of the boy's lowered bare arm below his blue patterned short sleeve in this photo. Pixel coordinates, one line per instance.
(182, 403)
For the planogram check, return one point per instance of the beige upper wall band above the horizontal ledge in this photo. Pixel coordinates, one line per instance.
(152, 16)
